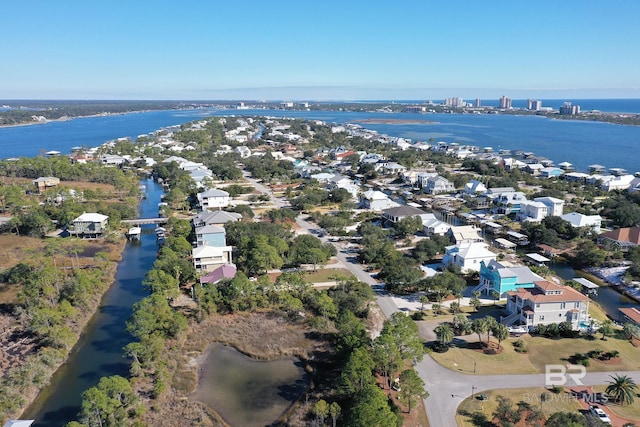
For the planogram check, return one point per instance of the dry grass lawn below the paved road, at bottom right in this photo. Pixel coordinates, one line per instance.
(472, 412)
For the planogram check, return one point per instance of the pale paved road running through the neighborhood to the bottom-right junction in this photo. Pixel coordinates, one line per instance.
(447, 388)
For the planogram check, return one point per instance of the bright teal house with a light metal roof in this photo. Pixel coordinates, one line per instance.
(503, 278)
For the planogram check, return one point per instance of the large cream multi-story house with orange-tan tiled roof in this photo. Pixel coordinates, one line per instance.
(546, 303)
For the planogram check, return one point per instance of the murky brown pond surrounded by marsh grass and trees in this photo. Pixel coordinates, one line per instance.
(248, 392)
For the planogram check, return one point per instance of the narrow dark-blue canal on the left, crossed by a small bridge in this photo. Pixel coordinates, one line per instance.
(99, 351)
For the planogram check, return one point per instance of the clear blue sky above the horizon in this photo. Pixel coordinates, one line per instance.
(338, 50)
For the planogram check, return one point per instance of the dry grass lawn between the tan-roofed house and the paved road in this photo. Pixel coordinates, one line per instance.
(542, 351)
